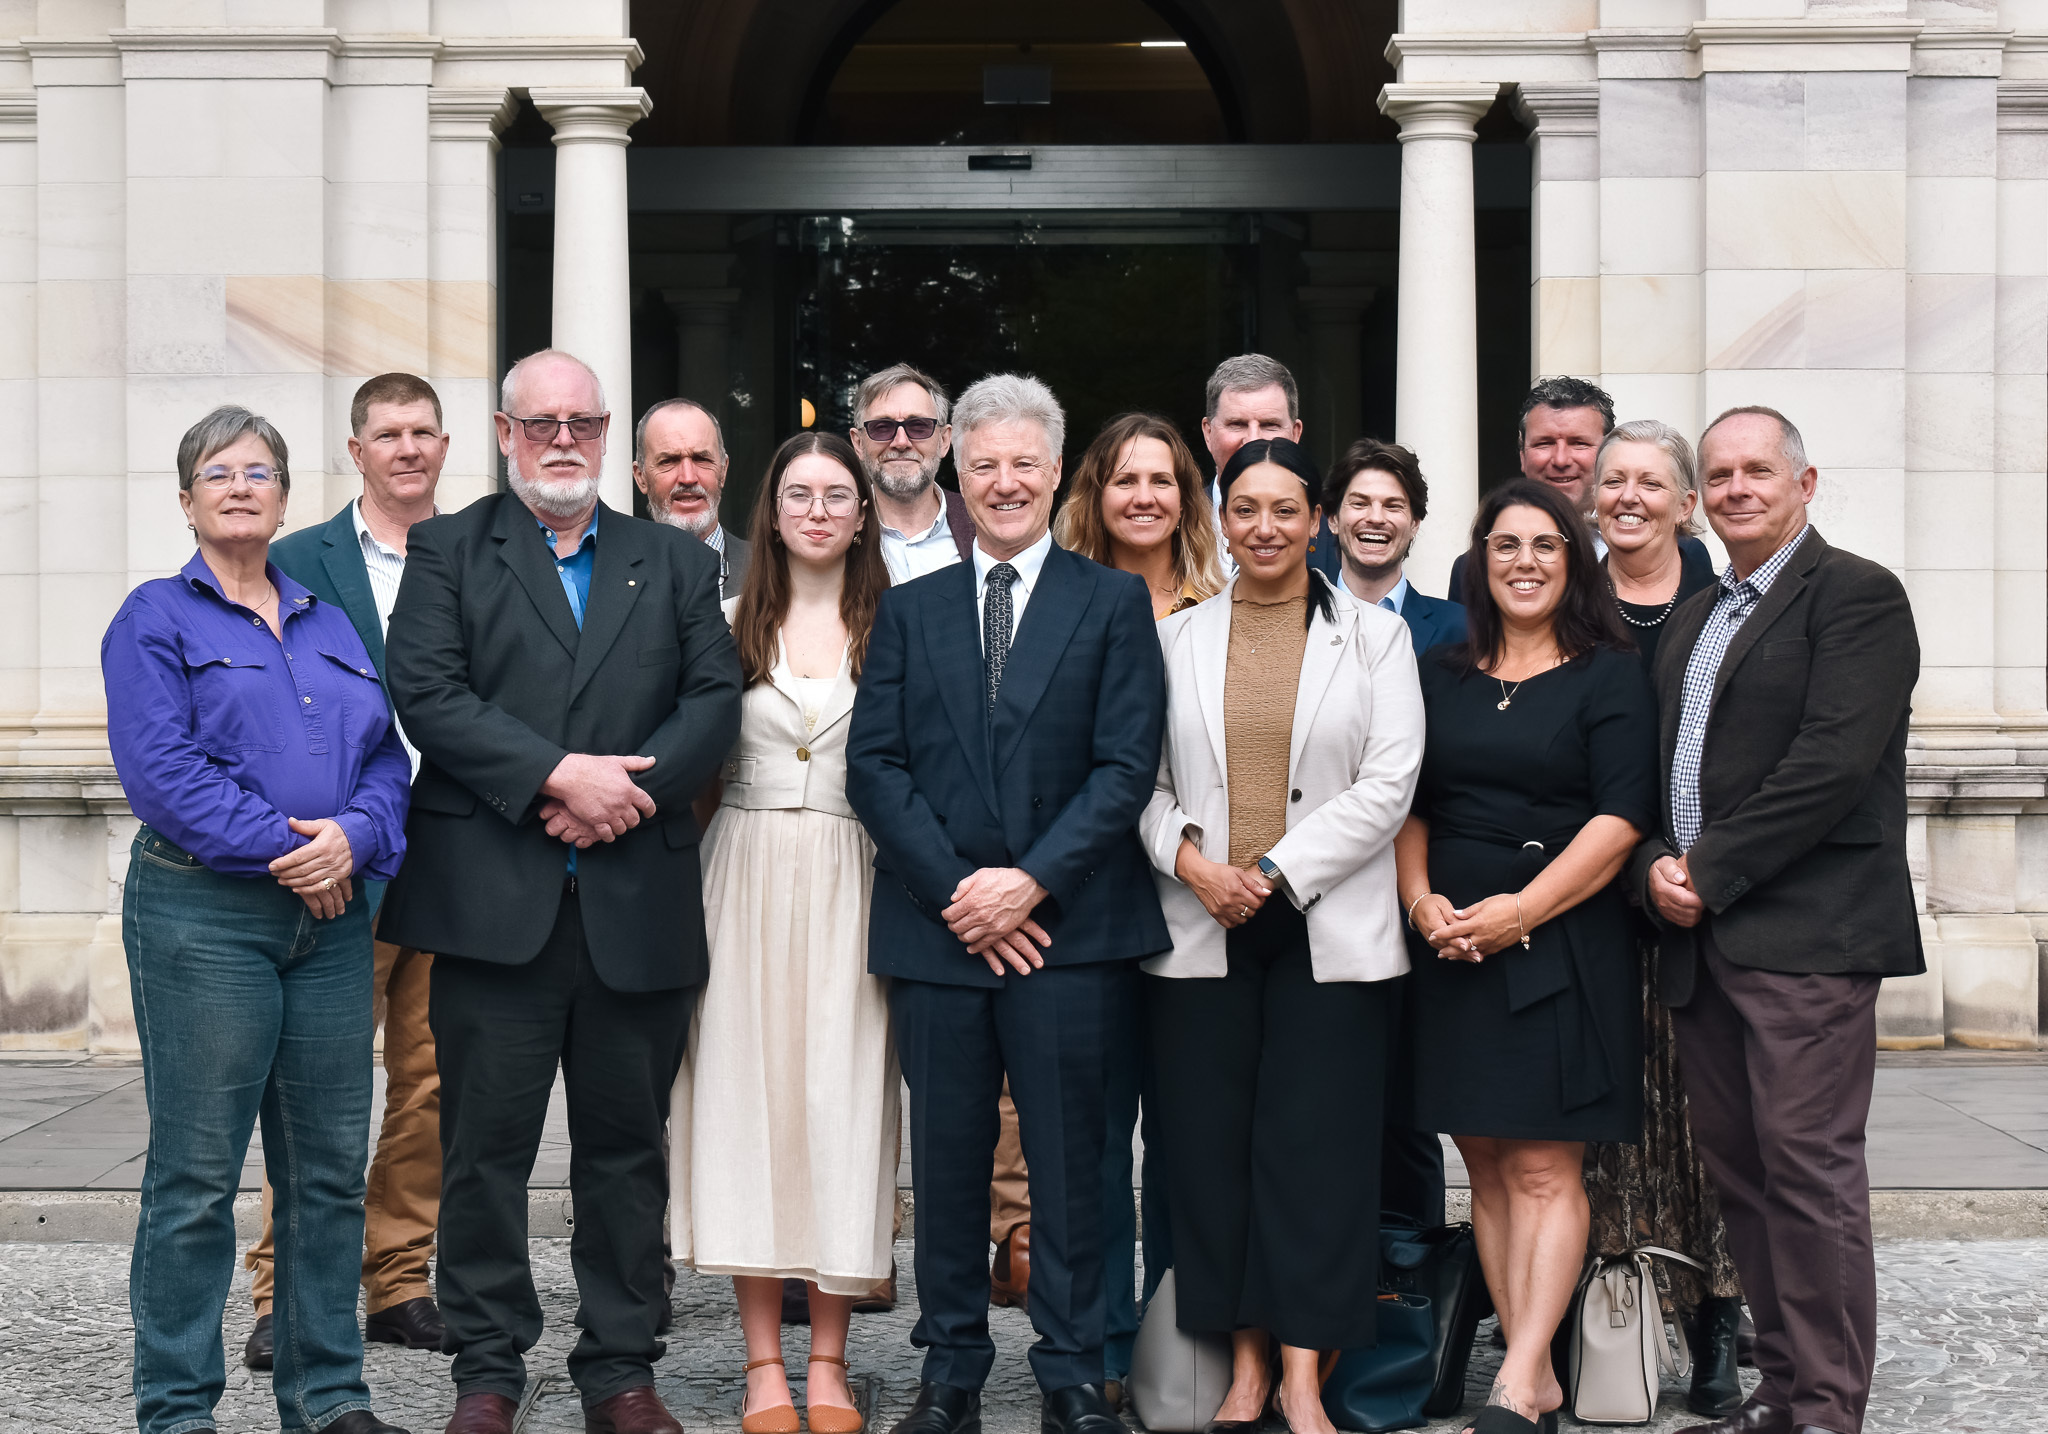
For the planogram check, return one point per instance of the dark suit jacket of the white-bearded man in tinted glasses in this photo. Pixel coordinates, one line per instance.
(497, 685)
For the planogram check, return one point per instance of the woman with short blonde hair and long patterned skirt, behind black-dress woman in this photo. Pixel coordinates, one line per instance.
(1656, 1193)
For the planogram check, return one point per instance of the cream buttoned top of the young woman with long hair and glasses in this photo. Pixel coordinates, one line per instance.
(781, 763)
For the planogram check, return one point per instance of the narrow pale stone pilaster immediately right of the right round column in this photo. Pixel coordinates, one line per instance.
(1564, 226)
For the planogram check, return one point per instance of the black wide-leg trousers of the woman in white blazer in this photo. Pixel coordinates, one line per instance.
(1271, 1103)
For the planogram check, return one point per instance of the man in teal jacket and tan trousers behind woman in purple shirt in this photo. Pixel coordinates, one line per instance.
(355, 562)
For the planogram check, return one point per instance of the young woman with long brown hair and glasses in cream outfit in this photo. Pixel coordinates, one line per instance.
(785, 1113)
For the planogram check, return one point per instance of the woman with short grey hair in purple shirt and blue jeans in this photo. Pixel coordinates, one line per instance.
(257, 747)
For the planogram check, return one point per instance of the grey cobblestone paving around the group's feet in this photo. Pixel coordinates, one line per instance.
(1963, 1349)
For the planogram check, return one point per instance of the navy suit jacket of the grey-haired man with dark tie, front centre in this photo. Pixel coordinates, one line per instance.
(1054, 786)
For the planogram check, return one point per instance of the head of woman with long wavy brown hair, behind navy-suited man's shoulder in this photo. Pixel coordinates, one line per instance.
(1138, 505)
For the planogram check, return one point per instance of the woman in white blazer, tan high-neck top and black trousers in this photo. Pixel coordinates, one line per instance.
(1291, 753)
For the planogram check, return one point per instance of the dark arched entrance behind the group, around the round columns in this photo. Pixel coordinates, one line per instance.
(1109, 194)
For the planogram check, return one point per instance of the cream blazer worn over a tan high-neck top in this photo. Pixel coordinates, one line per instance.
(1353, 765)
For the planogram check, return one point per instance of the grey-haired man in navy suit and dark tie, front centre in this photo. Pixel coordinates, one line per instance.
(1002, 749)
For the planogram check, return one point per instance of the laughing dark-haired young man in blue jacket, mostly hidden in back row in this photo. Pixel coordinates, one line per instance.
(1377, 499)
